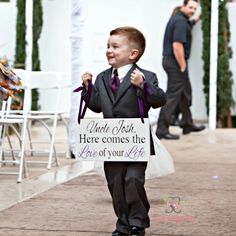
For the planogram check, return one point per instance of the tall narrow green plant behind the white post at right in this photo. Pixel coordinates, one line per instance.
(224, 75)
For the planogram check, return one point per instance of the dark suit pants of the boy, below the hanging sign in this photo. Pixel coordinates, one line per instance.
(126, 185)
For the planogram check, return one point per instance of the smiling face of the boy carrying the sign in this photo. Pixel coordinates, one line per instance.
(119, 51)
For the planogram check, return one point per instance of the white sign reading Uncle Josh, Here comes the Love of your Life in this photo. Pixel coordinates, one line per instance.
(113, 140)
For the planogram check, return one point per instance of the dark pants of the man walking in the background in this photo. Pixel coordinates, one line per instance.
(179, 93)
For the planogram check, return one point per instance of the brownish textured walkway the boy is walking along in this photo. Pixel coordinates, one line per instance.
(203, 190)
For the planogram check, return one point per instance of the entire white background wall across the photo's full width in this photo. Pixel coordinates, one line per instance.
(100, 16)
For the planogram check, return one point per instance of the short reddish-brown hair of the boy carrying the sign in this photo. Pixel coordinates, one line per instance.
(134, 36)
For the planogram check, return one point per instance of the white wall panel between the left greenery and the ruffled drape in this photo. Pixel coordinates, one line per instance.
(55, 46)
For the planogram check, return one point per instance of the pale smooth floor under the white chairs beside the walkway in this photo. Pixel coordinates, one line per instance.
(40, 178)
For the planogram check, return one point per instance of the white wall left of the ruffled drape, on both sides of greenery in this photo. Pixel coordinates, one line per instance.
(54, 42)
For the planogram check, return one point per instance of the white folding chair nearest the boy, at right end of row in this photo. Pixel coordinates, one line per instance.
(45, 82)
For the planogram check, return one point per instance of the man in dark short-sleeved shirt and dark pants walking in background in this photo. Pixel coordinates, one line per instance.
(176, 52)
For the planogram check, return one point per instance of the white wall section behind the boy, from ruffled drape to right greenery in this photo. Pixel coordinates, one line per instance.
(150, 16)
